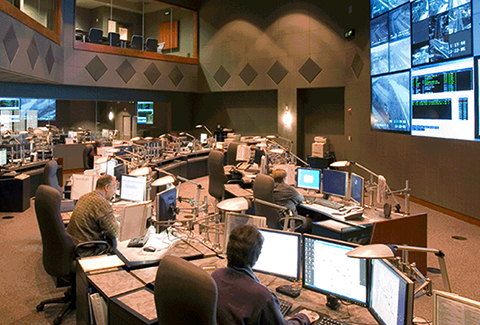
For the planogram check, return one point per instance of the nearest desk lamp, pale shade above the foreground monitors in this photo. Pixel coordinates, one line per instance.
(380, 251)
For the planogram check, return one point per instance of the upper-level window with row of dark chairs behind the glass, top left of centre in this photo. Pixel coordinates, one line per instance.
(141, 25)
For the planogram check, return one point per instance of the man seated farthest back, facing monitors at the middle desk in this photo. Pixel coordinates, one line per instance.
(284, 194)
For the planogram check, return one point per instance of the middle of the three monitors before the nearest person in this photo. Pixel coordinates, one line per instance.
(328, 270)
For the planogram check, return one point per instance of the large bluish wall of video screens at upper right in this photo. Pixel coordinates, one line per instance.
(424, 78)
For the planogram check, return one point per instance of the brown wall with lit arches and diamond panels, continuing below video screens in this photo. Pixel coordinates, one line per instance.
(235, 33)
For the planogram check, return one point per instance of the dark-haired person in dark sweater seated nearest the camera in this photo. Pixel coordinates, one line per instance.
(242, 299)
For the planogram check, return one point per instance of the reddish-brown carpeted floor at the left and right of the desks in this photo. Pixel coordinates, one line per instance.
(24, 282)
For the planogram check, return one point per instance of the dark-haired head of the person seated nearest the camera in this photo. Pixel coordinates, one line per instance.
(244, 246)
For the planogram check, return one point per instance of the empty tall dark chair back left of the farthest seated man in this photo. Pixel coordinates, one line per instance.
(216, 175)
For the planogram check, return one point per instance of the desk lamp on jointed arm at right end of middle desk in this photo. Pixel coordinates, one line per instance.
(381, 185)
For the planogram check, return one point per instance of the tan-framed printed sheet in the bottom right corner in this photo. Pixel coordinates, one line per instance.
(452, 309)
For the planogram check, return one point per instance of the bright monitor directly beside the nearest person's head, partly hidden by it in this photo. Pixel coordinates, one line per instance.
(280, 254)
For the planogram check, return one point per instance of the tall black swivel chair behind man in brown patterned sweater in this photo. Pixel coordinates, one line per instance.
(59, 251)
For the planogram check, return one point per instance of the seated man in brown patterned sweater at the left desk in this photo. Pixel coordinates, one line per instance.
(92, 218)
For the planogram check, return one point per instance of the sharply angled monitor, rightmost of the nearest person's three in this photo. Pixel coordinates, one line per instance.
(390, 298)
